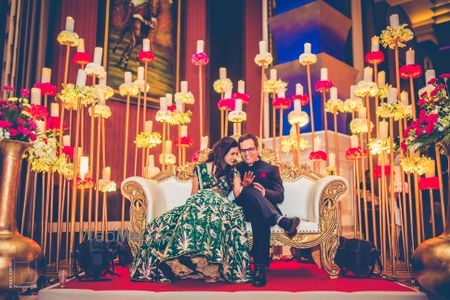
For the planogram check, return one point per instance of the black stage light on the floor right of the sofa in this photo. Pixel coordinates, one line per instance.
(358, 256)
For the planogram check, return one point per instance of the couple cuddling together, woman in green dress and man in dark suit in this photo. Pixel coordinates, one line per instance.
(207, 237)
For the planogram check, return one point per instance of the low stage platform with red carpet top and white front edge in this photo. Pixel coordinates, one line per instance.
(285, 280)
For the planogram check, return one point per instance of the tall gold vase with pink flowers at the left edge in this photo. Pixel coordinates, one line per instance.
(21, 258)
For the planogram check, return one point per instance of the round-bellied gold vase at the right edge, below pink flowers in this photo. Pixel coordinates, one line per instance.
(431, 260)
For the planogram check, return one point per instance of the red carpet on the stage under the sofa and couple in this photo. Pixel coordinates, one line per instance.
(282, 276)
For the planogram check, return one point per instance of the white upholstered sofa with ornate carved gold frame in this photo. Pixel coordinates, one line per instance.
(311, 198)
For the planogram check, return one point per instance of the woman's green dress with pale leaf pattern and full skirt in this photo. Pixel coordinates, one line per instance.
(204, 238)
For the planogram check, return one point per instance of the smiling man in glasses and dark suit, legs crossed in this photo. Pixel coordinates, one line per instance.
(262, 191)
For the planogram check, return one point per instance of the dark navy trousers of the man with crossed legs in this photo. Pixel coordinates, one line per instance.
(262, 215)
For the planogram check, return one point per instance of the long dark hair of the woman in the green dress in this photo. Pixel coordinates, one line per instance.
(217, 157)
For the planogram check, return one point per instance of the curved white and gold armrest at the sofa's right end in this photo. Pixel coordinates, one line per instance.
(326, 189)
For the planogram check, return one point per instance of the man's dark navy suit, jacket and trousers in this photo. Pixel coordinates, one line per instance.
(261, 211)
